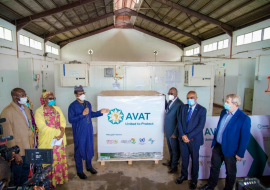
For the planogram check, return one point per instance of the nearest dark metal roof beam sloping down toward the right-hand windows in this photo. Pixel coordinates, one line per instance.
(225, 27)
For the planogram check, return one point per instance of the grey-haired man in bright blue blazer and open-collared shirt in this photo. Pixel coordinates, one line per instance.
(230, 142)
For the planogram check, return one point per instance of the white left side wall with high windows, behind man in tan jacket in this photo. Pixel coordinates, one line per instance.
(9, 64)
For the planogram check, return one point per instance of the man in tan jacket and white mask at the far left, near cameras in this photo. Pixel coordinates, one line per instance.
(19, 125)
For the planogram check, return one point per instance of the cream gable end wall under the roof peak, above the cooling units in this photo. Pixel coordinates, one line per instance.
(121, 45)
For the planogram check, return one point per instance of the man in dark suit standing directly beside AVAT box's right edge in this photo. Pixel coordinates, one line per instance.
(171, 130)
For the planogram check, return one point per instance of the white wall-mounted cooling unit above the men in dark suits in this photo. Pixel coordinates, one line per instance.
(198, 75)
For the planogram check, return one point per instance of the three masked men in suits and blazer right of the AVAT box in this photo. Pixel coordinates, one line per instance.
(184, 124)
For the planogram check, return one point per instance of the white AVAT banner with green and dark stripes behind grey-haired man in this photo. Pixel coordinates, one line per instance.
(256, 161)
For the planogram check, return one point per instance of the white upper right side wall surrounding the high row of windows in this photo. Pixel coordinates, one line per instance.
(251, 50)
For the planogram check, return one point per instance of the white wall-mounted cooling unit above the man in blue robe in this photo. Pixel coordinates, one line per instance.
(74, 74)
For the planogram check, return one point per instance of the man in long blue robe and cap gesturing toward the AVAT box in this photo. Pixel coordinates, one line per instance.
(79, 115)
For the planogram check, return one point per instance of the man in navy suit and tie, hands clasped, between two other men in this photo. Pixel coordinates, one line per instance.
(191, 121)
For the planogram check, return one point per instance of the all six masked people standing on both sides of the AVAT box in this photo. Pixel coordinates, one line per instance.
(184, 124)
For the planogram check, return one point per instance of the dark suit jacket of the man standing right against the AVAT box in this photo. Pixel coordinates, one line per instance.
(171, 118)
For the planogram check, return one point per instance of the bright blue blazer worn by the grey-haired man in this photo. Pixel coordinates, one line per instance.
(236, 135)
